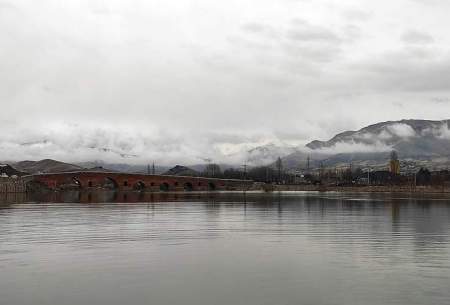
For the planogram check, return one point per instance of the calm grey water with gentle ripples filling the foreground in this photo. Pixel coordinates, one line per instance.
(230, 249)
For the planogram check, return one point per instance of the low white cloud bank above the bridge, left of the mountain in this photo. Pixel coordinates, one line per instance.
(133, 145)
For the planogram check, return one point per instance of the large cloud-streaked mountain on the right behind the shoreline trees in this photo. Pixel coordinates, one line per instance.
(419, 142)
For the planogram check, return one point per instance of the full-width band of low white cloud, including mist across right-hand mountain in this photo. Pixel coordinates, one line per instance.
(139, 145)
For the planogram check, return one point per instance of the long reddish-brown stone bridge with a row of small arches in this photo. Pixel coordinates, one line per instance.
(127, 182)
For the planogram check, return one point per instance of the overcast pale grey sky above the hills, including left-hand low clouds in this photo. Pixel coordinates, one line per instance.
(180, 81)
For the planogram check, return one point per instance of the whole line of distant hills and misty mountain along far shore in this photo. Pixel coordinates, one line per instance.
(419, 143)
